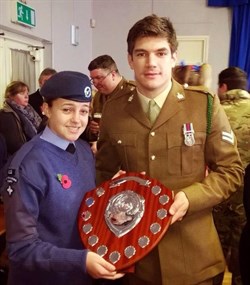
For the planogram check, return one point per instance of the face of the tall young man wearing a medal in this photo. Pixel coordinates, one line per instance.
(152, 62)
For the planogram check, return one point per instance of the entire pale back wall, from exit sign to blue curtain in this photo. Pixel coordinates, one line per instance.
(113, 20)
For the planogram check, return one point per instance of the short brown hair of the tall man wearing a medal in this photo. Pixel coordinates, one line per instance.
(152, 26)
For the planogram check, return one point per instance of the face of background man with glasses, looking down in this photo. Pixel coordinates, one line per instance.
(103, 80)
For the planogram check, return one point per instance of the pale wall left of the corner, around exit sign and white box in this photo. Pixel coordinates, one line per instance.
(53, 22)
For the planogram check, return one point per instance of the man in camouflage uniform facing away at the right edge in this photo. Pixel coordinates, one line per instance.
(229, 216)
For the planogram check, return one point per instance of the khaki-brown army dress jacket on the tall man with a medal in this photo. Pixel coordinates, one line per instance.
(190, 251)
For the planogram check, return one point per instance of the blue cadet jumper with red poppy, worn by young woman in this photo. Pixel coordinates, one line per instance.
(41, 209)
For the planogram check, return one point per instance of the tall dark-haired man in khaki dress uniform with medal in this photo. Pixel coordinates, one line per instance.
(189, 132)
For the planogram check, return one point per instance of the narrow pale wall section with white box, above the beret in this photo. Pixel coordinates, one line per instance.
(66, 56)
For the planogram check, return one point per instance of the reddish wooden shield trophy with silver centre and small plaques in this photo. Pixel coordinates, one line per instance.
(125, 218)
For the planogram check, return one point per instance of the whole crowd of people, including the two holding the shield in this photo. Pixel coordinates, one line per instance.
(59, 143)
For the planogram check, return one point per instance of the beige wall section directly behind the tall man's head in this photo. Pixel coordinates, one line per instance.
(114, 18)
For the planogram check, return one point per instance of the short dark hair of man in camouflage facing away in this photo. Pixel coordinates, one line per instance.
(234, 78)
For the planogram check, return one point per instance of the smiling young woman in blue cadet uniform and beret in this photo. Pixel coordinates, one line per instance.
(43, 190)
